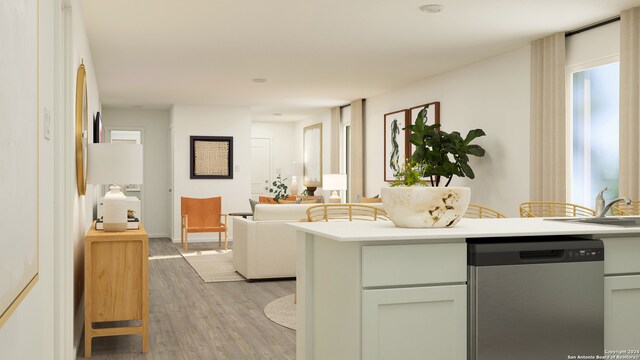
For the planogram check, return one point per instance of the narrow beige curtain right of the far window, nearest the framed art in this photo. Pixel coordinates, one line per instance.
(356, 167)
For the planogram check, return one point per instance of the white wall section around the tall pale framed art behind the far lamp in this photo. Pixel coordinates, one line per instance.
(325, 119)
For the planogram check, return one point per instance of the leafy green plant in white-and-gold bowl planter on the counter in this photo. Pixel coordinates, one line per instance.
(438, 155)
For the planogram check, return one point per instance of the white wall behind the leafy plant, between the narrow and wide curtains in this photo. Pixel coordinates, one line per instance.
(492, 95)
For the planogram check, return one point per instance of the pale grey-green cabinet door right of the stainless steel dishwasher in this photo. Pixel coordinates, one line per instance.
(622, 312)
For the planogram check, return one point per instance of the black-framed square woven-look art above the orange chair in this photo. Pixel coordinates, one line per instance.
(211, 157)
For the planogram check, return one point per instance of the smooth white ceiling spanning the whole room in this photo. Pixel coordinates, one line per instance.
(314, 54)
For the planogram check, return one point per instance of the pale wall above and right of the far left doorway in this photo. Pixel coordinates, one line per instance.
(154, 125)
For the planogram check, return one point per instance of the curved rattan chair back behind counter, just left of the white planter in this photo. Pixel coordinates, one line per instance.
(349, 212)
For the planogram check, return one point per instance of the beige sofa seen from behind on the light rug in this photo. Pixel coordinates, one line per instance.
(265, 247)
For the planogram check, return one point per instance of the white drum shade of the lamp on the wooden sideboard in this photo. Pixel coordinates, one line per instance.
(114, 163)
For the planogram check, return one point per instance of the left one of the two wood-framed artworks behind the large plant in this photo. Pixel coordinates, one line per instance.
(396, 142)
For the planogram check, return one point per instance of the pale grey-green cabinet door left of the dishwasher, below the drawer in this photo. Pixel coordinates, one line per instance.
(415, 323)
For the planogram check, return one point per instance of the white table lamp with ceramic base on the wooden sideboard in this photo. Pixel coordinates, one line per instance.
(114, 163)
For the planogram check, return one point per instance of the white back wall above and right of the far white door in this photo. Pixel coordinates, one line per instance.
(282, 136)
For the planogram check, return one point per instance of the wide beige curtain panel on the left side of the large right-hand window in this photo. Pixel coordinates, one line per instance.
(548, 120)
